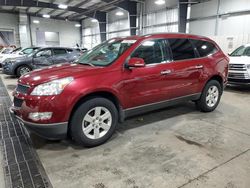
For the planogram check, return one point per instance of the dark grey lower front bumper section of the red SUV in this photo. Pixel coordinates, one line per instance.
(53, 131)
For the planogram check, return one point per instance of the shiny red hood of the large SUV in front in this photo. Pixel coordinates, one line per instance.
(48, 74)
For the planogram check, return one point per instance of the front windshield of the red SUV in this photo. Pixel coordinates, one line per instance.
(105, 53)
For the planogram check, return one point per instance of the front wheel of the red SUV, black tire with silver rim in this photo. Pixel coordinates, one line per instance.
(86, 122)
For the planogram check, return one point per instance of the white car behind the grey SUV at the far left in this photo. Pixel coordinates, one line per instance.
(17, 53)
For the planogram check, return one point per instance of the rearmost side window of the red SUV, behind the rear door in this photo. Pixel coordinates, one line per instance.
(204, 48)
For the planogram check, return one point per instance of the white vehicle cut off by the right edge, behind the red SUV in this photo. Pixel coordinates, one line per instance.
(239, 66)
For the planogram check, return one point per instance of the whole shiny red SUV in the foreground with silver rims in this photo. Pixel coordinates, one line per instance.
(119, 78)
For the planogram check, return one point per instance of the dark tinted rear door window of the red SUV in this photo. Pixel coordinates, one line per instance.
(181, 49)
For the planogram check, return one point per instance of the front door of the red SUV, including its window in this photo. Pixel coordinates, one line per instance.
(147, 85)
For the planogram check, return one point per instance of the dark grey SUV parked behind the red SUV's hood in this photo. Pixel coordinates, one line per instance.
(39, 59)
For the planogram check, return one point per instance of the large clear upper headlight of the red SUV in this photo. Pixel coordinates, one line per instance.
(54, 87)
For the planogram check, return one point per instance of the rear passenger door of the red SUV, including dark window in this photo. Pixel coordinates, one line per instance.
(183, 73)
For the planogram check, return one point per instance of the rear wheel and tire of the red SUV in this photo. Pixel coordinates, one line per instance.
(210, 97)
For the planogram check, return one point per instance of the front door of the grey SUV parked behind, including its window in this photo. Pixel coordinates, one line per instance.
(43, 58)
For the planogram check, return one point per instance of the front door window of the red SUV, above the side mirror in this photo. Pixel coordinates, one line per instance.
(151, 51)
